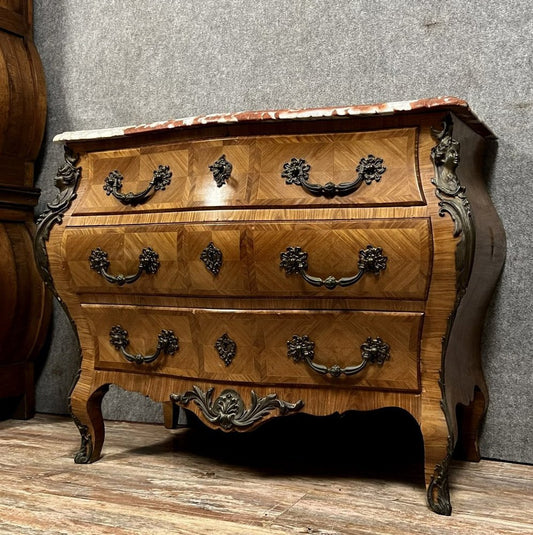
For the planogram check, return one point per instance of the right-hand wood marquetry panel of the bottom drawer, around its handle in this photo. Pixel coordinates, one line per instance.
(338, 337)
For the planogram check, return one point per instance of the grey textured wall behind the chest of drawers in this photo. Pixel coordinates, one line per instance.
(118, 62)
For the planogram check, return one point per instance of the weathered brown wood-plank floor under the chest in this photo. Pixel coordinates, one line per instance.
(298, 477)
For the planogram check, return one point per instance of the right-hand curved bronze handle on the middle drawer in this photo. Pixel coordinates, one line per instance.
(371, 260)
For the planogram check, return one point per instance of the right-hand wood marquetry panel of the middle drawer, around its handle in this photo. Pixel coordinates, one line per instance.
(333, 250)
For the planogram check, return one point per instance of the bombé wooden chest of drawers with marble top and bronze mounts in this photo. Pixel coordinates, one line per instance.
(262, 264)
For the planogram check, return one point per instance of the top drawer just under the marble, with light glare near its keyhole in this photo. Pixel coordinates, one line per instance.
(371, 168)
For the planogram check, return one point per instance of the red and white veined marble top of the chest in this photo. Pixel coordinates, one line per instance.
(458, 106)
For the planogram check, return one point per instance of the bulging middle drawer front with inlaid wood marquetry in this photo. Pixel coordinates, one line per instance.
(246, 259)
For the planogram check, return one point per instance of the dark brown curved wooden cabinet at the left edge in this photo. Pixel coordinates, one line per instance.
(24, 306)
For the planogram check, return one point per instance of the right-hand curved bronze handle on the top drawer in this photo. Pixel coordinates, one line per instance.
(297, 172)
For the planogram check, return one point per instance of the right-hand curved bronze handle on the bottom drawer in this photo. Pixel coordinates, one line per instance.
(301, 348)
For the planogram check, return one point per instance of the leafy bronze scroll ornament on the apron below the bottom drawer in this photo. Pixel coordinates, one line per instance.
(228, 411)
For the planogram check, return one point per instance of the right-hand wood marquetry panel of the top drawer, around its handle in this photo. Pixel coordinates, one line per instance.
(334, 158)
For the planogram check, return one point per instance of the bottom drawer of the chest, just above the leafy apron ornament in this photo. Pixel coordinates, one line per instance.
(350, 349)
